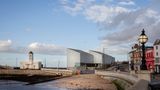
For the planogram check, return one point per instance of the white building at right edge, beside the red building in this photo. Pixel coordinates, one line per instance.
(157, 55)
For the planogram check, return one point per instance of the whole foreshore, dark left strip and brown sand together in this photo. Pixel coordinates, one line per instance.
(75, 82)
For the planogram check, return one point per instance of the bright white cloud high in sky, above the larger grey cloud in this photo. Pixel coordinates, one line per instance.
(102, 13)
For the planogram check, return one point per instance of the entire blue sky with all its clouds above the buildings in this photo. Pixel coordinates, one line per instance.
(49, 27)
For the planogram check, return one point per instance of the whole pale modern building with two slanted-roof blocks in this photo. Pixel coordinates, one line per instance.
(78, 58)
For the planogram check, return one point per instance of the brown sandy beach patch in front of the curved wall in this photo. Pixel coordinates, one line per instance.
(84, 82)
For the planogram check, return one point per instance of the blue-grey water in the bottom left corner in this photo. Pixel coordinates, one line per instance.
(14, 85)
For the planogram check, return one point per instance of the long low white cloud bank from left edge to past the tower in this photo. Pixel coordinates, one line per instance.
(7, 46)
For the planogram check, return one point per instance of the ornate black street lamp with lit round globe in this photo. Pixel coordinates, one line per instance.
(143, 39)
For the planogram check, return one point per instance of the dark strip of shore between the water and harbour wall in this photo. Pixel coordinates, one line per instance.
(30, 79)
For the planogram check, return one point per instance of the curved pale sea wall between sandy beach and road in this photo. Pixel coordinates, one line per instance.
(125, 81)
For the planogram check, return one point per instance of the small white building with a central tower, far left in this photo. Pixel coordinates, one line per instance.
(30, 64)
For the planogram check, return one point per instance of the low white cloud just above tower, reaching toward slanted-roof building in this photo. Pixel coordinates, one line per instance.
(43, 48)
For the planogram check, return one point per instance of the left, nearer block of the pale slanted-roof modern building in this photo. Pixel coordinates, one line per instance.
(77, 58)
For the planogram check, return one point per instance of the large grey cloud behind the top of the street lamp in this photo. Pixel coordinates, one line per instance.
(135, 22)
